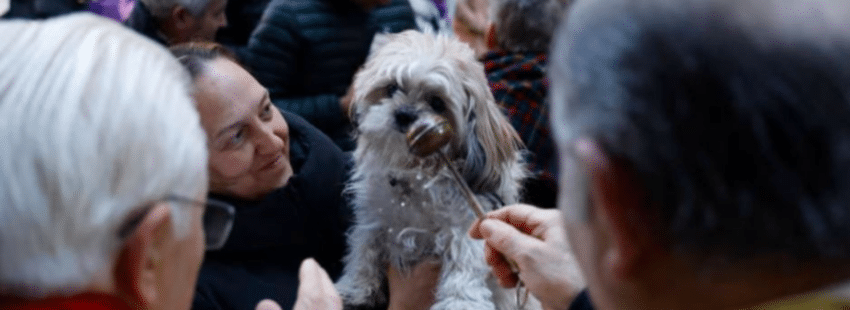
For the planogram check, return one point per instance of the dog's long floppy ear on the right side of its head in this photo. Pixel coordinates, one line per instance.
(492, 143)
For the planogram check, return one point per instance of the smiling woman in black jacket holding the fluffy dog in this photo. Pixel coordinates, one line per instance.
(285, 179)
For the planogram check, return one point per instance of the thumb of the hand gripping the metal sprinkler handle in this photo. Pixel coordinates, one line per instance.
(506, 239)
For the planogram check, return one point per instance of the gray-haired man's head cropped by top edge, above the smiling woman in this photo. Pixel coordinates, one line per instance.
(171, 22)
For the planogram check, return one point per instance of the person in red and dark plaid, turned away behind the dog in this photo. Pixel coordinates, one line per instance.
(518, 41)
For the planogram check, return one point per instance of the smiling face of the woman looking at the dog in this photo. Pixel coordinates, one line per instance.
(247, 136)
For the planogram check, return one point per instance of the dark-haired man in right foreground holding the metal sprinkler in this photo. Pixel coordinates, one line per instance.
(705, 159)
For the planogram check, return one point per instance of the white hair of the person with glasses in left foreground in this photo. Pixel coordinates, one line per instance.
(98, 122)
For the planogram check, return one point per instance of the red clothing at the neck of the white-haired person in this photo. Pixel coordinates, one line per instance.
(86, 301)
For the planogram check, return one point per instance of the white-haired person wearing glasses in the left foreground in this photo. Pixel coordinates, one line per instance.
(102, 171)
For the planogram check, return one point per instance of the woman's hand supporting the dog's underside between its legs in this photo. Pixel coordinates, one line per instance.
(415, 290)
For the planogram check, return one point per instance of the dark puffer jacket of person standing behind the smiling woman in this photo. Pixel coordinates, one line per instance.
(307, 51)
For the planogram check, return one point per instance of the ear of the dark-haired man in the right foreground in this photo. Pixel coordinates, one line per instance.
(616, 200)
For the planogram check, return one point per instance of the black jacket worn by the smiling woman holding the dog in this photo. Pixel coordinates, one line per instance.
(306, 218)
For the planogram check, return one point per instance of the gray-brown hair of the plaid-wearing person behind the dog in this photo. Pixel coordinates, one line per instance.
(526, 25)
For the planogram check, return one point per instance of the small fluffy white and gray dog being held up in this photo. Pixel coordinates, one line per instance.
(409, 209)
